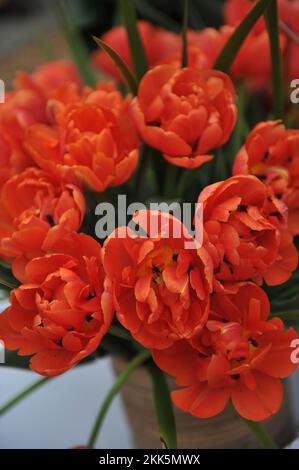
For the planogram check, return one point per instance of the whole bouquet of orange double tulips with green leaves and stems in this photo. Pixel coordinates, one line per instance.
(203, 117)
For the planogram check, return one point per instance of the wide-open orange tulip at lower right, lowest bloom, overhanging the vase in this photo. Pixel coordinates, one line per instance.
(240, 355)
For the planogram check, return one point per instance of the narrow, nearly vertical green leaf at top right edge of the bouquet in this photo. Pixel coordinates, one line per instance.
(272, 22)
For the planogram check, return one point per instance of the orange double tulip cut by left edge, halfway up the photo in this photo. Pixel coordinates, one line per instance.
(34, 206)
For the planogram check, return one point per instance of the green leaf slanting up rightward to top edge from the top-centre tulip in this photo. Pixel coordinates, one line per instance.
(233, 45)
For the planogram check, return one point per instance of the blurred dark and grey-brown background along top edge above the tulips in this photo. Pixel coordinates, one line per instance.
(32, 32)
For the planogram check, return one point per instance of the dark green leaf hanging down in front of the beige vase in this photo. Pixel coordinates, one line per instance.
(164, 408)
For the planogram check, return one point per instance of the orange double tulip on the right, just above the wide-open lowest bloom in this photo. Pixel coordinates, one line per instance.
(245, 233)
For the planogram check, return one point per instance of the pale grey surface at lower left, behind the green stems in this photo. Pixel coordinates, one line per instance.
(61, 413)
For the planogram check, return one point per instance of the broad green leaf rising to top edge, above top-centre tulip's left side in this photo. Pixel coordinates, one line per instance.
(138, 55)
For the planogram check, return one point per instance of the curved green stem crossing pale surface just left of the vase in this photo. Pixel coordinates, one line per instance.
(121, 379)
